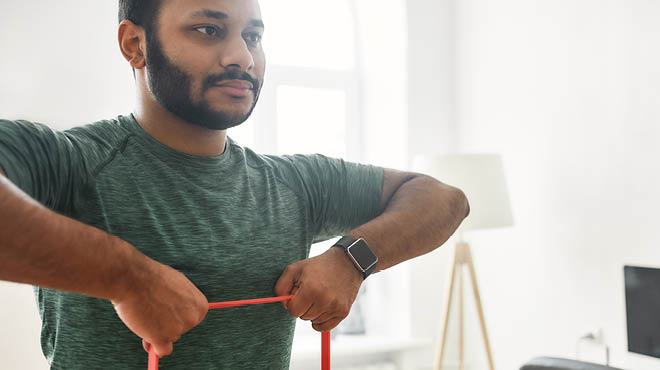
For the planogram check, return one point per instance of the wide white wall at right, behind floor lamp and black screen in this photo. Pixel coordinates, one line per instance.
(569, 92)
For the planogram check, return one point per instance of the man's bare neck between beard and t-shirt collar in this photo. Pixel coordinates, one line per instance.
(176, 133)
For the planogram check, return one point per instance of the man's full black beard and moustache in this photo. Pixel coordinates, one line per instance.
(172, 88)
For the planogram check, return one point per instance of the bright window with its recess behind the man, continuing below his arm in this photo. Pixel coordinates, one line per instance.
(335, 84)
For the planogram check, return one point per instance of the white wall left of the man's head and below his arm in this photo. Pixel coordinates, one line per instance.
(43, 45)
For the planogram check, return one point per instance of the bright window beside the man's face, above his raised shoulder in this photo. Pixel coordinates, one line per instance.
(309, 101)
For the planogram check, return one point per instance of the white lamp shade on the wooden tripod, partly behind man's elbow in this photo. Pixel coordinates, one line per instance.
(481, 177)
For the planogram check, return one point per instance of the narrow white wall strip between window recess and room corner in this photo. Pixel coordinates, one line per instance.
(431, 129)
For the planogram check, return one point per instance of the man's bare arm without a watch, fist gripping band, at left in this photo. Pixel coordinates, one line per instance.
(43, 248)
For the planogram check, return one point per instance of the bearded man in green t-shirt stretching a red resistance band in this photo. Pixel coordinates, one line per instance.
(130, 226)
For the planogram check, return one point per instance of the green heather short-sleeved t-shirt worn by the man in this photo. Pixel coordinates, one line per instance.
(230, 223)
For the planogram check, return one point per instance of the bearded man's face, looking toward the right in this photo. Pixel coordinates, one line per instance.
(205, 62)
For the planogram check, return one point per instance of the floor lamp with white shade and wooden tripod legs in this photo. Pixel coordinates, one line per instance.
(481, 177)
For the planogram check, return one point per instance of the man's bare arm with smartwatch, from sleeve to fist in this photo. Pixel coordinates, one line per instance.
(420, 214)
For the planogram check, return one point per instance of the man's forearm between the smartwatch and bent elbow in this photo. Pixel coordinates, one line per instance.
(421, 215)
